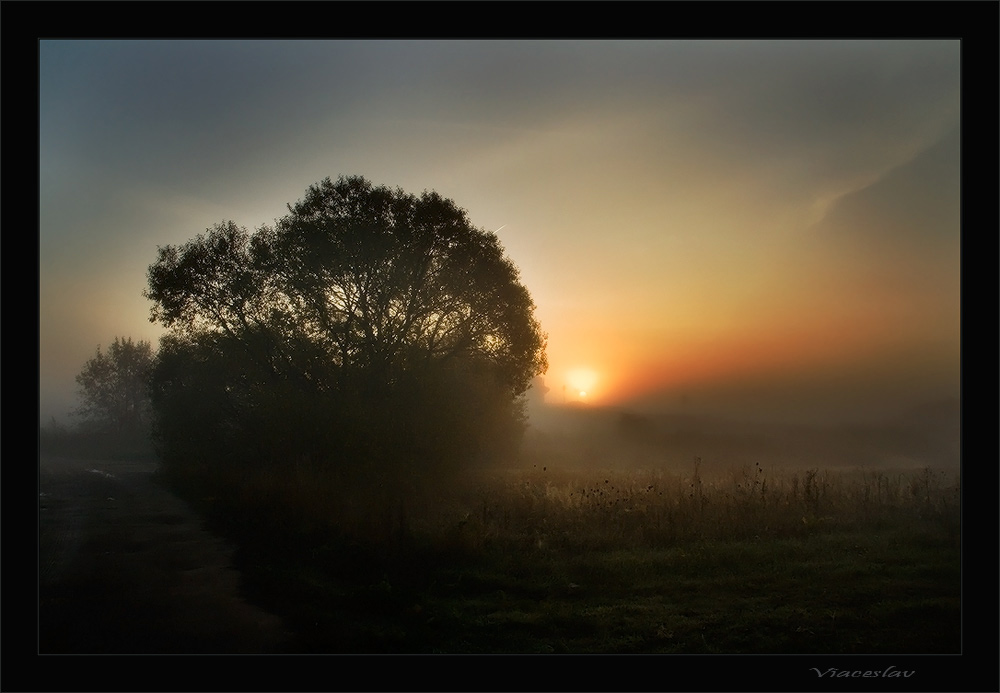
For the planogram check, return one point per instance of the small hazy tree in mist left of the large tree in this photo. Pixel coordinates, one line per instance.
(113, 387)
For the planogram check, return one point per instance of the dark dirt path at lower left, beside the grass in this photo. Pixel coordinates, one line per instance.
(125, 567)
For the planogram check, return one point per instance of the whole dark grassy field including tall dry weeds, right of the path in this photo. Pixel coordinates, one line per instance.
(539, 561)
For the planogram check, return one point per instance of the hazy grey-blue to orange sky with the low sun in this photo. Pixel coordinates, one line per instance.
(757, 229)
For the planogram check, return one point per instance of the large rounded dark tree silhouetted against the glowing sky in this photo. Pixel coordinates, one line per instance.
(366, 323)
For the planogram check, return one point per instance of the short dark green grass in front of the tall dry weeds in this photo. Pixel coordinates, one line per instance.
(839, 593)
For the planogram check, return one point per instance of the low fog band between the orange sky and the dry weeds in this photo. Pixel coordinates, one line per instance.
(575, 437)
